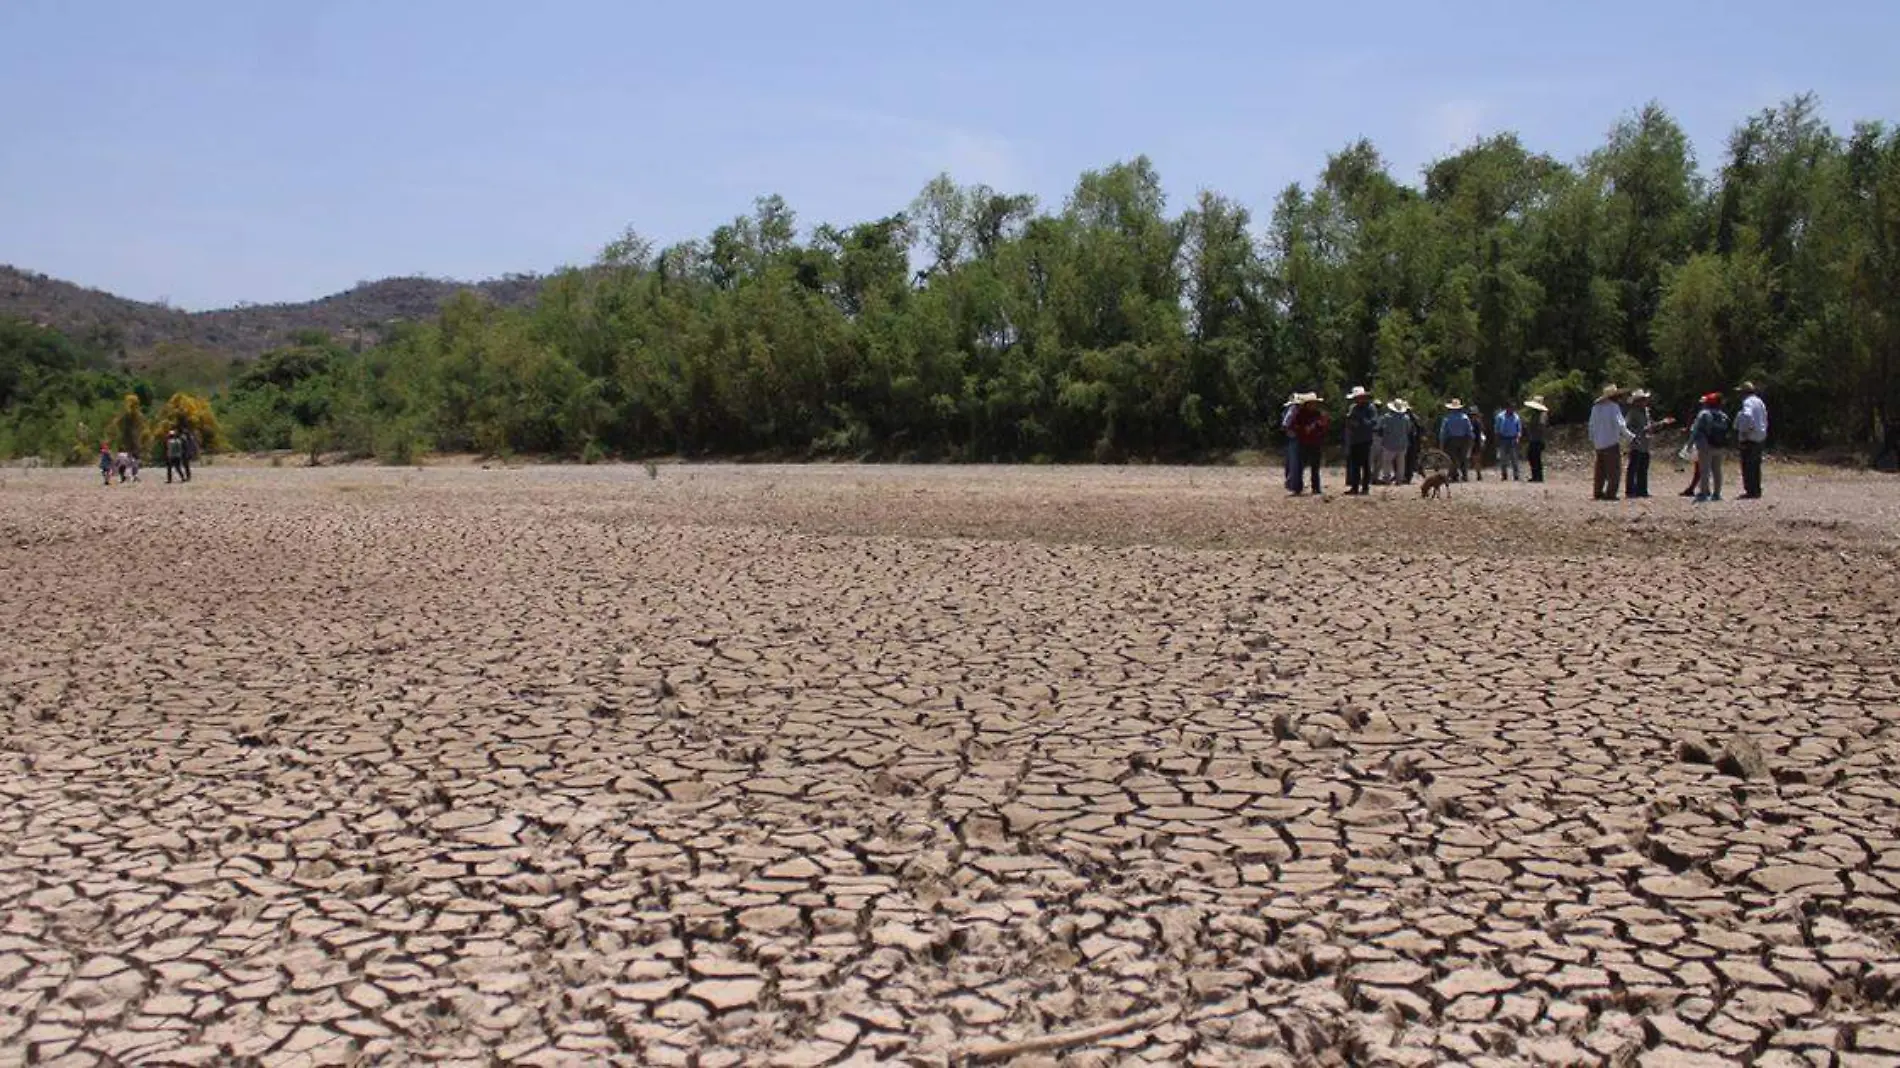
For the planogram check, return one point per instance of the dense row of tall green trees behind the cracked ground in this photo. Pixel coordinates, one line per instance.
(983, 326)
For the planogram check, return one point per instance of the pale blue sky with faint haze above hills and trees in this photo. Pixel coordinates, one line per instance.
(223, 151)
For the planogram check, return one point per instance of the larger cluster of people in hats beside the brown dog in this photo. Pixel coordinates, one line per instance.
(1384, 442)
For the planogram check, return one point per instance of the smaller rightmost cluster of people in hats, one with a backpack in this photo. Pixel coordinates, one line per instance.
(1624, 419)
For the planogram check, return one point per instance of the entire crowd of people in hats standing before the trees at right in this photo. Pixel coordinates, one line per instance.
(1384, 442)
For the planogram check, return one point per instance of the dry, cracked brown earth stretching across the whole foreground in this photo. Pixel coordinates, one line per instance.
(862, 765)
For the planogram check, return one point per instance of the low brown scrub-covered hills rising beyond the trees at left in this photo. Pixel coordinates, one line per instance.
(134, 330)
